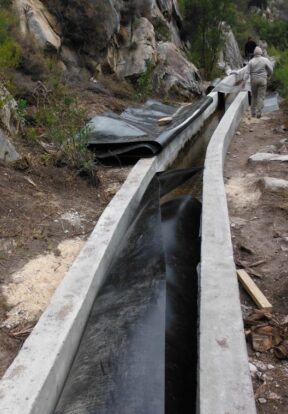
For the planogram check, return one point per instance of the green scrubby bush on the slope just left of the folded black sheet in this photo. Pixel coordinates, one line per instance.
(61, 120)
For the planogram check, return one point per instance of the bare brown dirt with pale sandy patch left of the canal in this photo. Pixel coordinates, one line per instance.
(46, 214)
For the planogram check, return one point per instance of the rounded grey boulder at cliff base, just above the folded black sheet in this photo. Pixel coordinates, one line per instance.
(174, 74)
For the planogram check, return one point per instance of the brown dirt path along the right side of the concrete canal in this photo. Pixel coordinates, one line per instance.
(259, 228)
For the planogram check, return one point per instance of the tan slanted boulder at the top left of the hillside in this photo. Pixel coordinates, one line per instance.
(36, 20)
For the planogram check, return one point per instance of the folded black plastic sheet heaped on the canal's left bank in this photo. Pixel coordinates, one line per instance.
(137, 133)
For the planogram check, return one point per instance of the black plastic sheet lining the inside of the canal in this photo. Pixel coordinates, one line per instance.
(138, 353)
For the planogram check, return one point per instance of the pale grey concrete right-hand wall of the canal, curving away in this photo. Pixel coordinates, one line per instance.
(224, 382)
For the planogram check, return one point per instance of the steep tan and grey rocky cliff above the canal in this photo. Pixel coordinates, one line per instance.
(120, 37)
